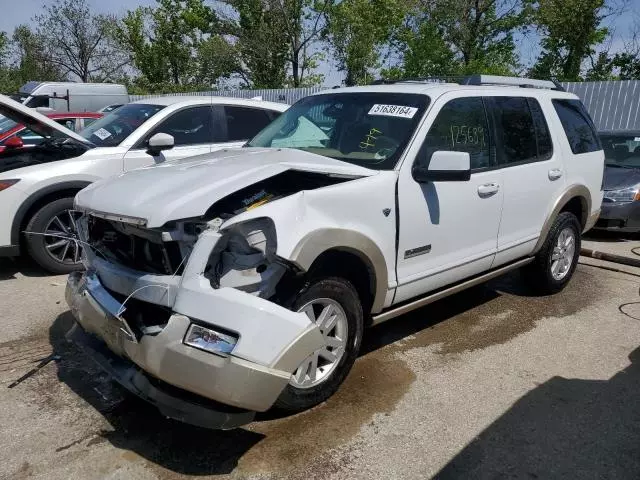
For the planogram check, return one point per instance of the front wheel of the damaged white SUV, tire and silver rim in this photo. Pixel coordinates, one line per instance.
(334, 305)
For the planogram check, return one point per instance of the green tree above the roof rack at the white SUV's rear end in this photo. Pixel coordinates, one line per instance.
(571, 29)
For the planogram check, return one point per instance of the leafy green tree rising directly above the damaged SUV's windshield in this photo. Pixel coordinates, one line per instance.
(357, 30)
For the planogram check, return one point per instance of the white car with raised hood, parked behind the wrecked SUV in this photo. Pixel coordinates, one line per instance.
(37, 185)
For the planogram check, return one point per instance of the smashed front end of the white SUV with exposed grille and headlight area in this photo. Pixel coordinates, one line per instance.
(193, 305)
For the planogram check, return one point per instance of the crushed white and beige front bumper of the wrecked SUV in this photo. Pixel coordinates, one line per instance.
(230, 380)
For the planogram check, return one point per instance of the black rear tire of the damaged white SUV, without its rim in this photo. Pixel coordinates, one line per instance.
(539, 273)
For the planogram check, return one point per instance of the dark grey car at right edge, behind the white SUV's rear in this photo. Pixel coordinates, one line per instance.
(621, 202)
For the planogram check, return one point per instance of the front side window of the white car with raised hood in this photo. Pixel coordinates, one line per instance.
(191, 126)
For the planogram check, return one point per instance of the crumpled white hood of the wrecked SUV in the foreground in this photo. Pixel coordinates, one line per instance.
(187, 188)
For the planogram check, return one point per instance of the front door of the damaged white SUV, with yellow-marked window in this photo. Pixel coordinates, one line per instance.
(448, 230)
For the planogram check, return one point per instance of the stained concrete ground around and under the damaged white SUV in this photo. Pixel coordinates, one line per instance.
(491, 383)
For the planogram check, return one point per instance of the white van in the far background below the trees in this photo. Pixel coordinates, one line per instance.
(71, 96)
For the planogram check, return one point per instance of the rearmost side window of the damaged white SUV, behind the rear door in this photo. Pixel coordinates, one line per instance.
(578, 126)
